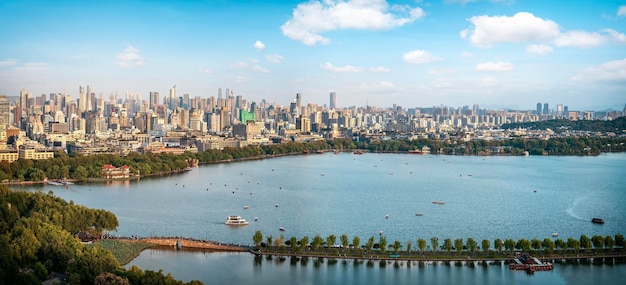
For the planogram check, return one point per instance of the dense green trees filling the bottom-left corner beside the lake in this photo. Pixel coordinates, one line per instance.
(37, 237)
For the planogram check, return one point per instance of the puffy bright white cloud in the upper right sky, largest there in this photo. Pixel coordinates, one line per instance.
(521, 27)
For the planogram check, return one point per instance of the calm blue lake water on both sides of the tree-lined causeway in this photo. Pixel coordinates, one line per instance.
(308, 195)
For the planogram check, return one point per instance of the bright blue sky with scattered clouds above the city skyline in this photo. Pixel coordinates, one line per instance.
(410, 53)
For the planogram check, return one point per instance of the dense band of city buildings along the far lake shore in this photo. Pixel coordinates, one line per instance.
(34, 127)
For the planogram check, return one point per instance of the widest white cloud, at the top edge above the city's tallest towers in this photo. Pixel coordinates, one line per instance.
(313, 18)
